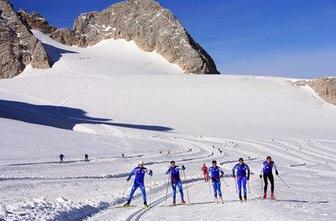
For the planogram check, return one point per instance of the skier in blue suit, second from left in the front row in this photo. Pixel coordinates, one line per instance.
(174, 172)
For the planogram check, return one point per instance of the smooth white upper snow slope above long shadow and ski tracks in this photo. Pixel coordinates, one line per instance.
(116, 80)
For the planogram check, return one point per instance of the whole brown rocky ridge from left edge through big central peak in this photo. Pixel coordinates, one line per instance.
(149, 25)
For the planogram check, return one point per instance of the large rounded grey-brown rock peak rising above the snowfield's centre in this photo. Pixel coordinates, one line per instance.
(150, 26)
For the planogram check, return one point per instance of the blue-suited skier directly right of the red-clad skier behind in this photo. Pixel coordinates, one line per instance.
(215, 173)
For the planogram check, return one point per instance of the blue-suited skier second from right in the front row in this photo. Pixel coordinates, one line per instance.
(242, 172)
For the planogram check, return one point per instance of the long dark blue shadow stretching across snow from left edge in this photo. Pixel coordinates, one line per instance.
(60, 117)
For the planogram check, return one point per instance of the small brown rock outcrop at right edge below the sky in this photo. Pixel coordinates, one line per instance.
(325, 88)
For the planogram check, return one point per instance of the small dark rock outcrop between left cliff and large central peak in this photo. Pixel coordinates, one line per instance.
(35, 21)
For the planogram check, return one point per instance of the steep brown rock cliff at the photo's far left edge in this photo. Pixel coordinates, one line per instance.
(19, 47)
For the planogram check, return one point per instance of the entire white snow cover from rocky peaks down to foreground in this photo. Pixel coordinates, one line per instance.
(113, 98)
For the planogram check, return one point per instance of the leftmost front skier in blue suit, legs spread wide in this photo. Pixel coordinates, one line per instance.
(139, 173)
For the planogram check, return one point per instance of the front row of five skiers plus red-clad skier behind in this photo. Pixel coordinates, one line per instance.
(240, 172)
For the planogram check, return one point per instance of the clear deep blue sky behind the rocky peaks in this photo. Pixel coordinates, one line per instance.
(265, 37)
